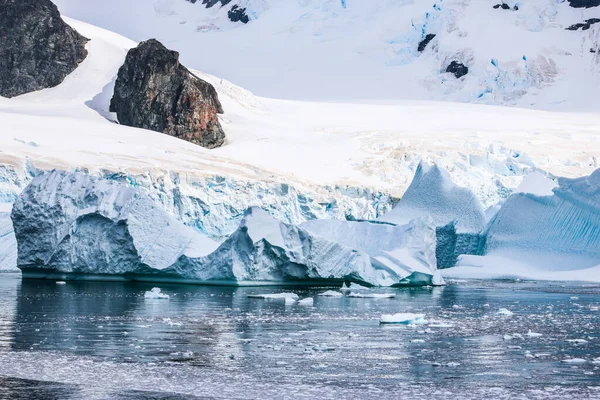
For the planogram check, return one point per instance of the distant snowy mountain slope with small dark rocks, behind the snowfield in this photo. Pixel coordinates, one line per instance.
(531, 53)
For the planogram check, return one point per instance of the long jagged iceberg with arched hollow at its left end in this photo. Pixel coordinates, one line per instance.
(72, 225)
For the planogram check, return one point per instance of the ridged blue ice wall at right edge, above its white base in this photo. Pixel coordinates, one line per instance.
(558, 232)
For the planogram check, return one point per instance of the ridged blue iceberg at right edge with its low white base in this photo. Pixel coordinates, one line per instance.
(543, 237)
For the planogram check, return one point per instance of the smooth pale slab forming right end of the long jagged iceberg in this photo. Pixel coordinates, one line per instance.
(396, 248)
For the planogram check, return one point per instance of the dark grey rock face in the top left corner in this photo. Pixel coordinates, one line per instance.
(37, 48)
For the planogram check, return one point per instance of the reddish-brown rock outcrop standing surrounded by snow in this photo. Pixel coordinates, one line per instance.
(154, 91)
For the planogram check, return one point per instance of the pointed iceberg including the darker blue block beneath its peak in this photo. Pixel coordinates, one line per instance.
(456, 212)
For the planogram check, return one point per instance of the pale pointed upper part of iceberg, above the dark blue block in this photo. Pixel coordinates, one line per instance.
(433, 194)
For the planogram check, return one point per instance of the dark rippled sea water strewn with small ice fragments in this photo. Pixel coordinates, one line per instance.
(93, 340)
